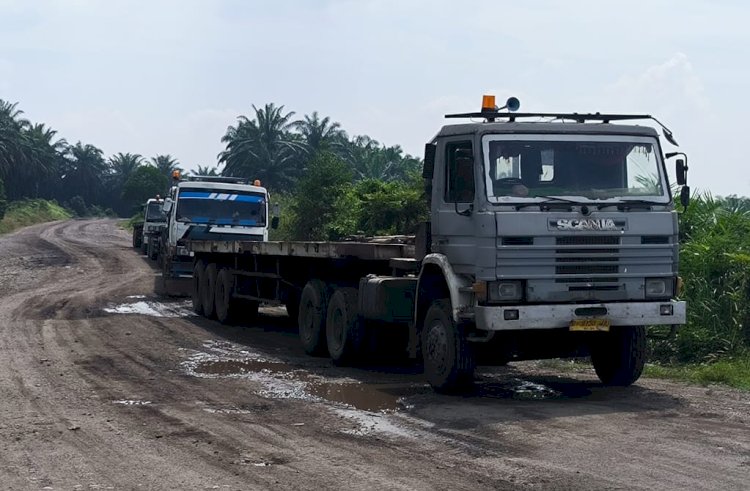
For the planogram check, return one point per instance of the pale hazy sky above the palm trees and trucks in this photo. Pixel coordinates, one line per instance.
(169, 76)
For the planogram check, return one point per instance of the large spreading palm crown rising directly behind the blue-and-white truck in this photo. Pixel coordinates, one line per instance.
(263, 148)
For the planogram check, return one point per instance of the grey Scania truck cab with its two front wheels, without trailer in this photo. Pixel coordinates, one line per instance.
(548, 239)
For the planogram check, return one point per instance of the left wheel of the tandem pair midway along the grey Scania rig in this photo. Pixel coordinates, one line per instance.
(311, 319)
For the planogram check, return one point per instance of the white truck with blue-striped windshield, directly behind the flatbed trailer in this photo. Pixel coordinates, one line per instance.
(209, 208)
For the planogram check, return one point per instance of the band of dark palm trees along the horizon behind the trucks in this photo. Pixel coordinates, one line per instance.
(270, 145)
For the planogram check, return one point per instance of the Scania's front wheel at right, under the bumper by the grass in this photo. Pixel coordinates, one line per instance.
(620, 355)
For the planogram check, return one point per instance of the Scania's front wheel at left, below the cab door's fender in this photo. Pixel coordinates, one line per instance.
(448, 360)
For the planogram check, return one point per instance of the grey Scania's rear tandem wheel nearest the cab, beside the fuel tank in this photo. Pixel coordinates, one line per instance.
(344, 331)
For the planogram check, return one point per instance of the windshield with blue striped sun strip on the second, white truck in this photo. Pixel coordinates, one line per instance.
(230, 207)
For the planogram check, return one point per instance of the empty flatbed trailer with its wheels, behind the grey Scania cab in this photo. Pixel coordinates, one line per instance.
(335, 291)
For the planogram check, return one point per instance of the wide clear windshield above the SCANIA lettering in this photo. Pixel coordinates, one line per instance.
(586, 167)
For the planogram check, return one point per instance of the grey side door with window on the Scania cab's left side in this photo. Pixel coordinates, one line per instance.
(453, 196)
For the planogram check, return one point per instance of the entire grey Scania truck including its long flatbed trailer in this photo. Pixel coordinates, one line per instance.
(548, 238)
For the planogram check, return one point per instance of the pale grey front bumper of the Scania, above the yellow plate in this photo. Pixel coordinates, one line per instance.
(560, 315)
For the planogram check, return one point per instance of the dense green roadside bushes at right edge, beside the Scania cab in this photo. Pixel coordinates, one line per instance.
(715, 266)
